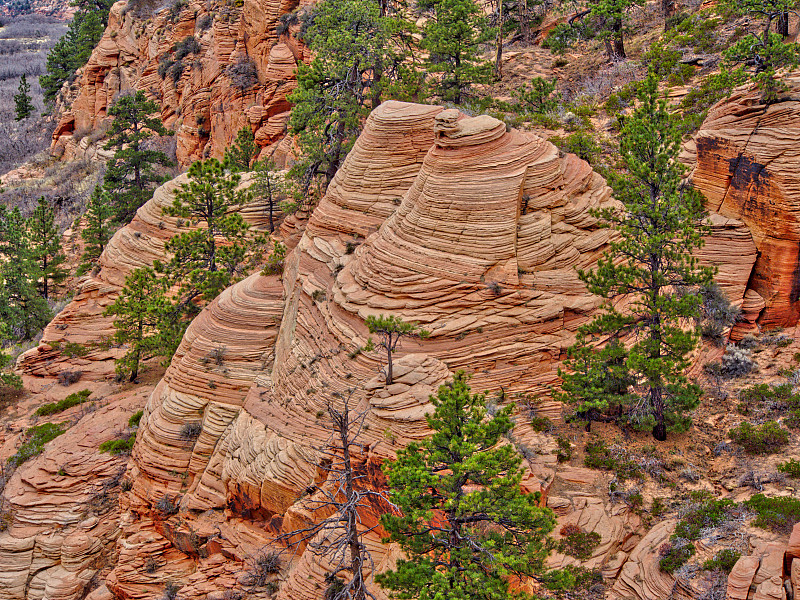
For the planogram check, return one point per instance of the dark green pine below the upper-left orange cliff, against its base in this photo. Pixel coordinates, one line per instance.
(131, 174)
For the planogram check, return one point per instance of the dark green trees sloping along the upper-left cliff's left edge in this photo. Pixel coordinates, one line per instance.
(72, 51)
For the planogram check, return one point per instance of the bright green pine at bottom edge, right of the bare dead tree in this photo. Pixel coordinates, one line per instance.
(465, 526)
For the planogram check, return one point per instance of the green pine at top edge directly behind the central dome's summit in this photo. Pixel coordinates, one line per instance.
(452, 37)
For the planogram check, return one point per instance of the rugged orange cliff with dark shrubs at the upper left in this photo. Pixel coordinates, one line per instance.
(202, 99)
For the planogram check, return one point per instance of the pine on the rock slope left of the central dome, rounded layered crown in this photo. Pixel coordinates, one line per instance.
(202, 266)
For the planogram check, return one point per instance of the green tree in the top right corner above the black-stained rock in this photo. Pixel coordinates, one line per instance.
(766, 50)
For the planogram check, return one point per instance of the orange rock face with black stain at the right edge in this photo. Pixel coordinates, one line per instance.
(747, 167)
